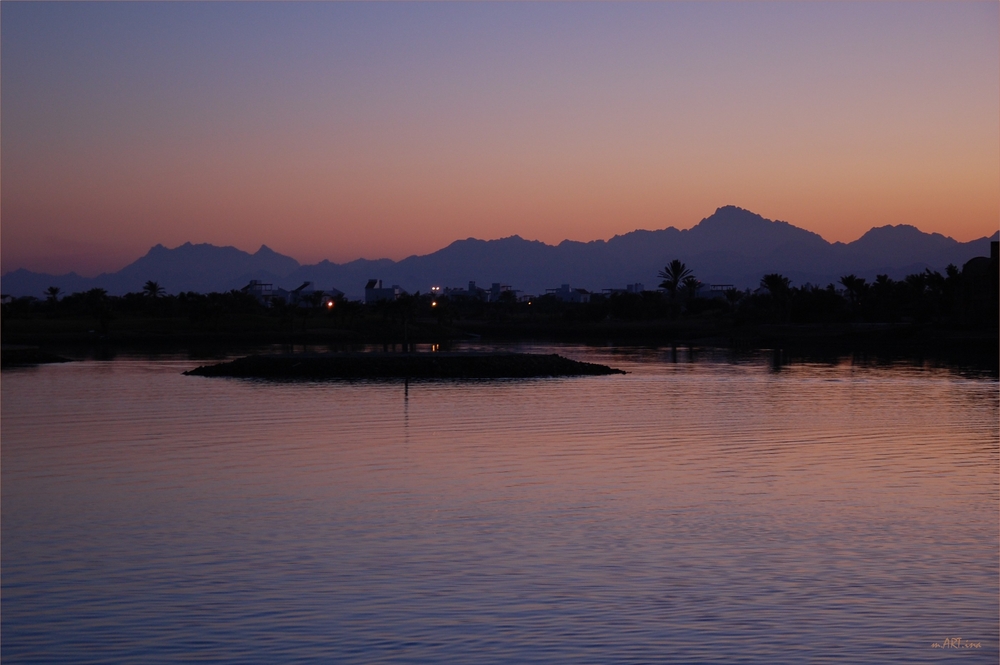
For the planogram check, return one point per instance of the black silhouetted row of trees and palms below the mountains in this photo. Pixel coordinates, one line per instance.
(965, 296)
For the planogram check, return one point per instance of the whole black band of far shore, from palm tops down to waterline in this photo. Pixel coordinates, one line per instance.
(925, 313)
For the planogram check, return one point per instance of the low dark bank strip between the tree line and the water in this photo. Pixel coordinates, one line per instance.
(682, 332)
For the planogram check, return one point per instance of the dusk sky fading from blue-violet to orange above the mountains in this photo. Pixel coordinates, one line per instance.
(380, 130)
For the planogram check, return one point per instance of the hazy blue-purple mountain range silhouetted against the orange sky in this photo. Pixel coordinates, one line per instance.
(732, 246)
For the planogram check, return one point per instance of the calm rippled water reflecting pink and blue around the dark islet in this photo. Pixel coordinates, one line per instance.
(690, 511)
